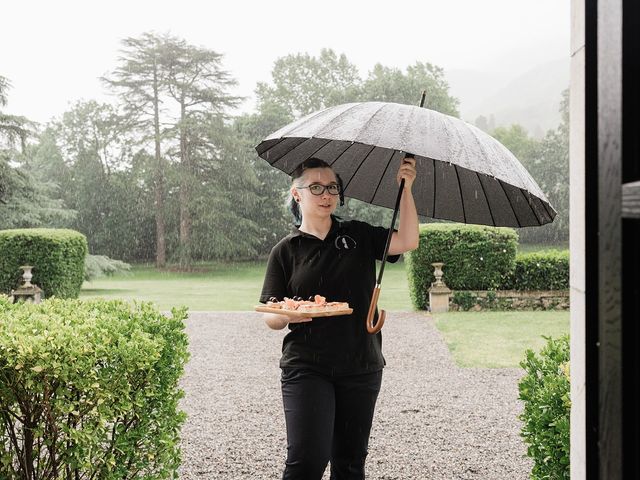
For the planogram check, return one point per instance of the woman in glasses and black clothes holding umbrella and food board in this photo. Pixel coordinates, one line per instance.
(331, 366)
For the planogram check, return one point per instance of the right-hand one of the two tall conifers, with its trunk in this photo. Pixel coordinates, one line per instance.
(199, 86)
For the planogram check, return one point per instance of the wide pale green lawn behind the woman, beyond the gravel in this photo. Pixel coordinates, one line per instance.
(219, 287)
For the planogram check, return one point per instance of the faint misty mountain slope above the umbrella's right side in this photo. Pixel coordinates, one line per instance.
(531, 99)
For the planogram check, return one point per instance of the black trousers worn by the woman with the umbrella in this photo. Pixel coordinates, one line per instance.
(328, 419)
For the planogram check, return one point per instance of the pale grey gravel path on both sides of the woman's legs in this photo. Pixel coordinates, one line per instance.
(433, 419)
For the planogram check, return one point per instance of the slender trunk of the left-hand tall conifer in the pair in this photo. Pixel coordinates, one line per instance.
(161, 258)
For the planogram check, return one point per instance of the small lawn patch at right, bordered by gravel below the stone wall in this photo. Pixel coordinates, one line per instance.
(498, 339)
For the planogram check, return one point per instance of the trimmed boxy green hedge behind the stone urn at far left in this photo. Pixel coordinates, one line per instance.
(57, 256)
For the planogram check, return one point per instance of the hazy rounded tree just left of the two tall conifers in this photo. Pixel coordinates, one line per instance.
(88, 153)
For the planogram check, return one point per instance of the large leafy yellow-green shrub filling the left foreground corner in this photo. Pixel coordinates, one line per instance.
(90, 390)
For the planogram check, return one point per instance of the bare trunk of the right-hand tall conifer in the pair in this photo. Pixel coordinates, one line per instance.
(185, 193)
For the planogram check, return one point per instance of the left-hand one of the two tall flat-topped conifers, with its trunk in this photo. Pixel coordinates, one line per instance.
(140, 79)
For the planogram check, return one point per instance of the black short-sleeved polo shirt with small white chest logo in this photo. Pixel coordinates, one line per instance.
(342, 267)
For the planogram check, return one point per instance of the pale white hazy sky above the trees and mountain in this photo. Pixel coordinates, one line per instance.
(54, 51)
